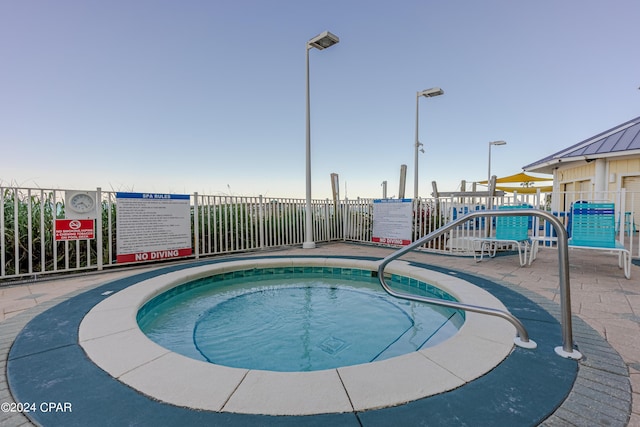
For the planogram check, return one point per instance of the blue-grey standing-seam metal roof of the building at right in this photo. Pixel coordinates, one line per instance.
(621, 140)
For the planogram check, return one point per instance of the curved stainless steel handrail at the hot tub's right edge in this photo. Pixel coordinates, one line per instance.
(522, 340)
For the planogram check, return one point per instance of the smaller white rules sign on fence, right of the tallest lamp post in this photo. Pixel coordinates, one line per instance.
(392, 221)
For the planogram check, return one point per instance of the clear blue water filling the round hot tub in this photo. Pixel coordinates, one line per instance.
(278, 320)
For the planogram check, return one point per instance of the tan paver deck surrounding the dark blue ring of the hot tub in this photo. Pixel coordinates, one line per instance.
(601, 297)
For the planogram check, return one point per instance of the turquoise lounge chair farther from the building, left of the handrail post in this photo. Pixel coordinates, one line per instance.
(510, 231)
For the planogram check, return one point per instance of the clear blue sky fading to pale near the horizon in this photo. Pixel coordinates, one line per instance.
(209, 96)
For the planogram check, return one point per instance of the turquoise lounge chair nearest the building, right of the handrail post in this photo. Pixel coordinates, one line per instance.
(593, 226)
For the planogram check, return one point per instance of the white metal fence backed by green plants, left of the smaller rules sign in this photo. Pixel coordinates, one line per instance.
(219, 224)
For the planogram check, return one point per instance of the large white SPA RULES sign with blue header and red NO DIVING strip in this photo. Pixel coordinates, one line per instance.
(152, 226)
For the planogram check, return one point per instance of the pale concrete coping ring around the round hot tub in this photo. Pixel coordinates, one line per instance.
(172, 378)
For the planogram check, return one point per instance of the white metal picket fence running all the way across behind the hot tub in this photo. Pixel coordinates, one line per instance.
(231, 224)
